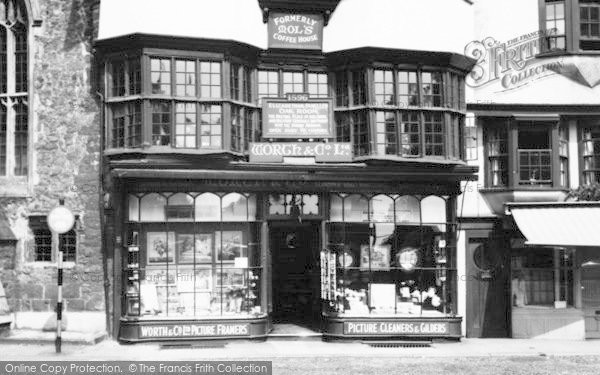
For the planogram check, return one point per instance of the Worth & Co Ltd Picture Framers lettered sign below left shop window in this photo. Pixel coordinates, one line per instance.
(195, 330)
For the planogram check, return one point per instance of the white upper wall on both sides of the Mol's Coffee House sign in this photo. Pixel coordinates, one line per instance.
(438, 25)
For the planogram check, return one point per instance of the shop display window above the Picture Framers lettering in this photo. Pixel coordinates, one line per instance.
(192, 254)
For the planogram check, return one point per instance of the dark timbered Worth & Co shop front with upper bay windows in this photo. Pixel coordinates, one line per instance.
(249, 187)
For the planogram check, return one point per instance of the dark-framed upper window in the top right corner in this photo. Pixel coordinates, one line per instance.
(570, 25)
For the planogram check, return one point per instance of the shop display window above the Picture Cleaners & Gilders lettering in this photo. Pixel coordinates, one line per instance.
(388, 255)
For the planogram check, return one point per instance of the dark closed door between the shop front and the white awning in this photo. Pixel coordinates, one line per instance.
(487, 287)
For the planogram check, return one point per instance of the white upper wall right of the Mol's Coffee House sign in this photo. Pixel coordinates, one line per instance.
(432, 25)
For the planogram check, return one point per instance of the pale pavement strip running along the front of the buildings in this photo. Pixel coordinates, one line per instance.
(311, 348)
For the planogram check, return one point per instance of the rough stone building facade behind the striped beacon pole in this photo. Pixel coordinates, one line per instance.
(49, 150)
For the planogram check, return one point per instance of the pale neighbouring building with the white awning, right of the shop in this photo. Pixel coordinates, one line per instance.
(530, 261)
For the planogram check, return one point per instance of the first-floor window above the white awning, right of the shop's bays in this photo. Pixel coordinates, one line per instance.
(525, 153)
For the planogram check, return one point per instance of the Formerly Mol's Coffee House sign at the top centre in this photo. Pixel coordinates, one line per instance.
(295, 31)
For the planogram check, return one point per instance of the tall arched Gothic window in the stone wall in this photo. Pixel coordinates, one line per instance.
(14, 89)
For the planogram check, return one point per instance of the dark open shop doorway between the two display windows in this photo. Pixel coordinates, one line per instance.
(295, 276)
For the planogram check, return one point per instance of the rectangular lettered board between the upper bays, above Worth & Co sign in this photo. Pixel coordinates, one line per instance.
(311, 118)
